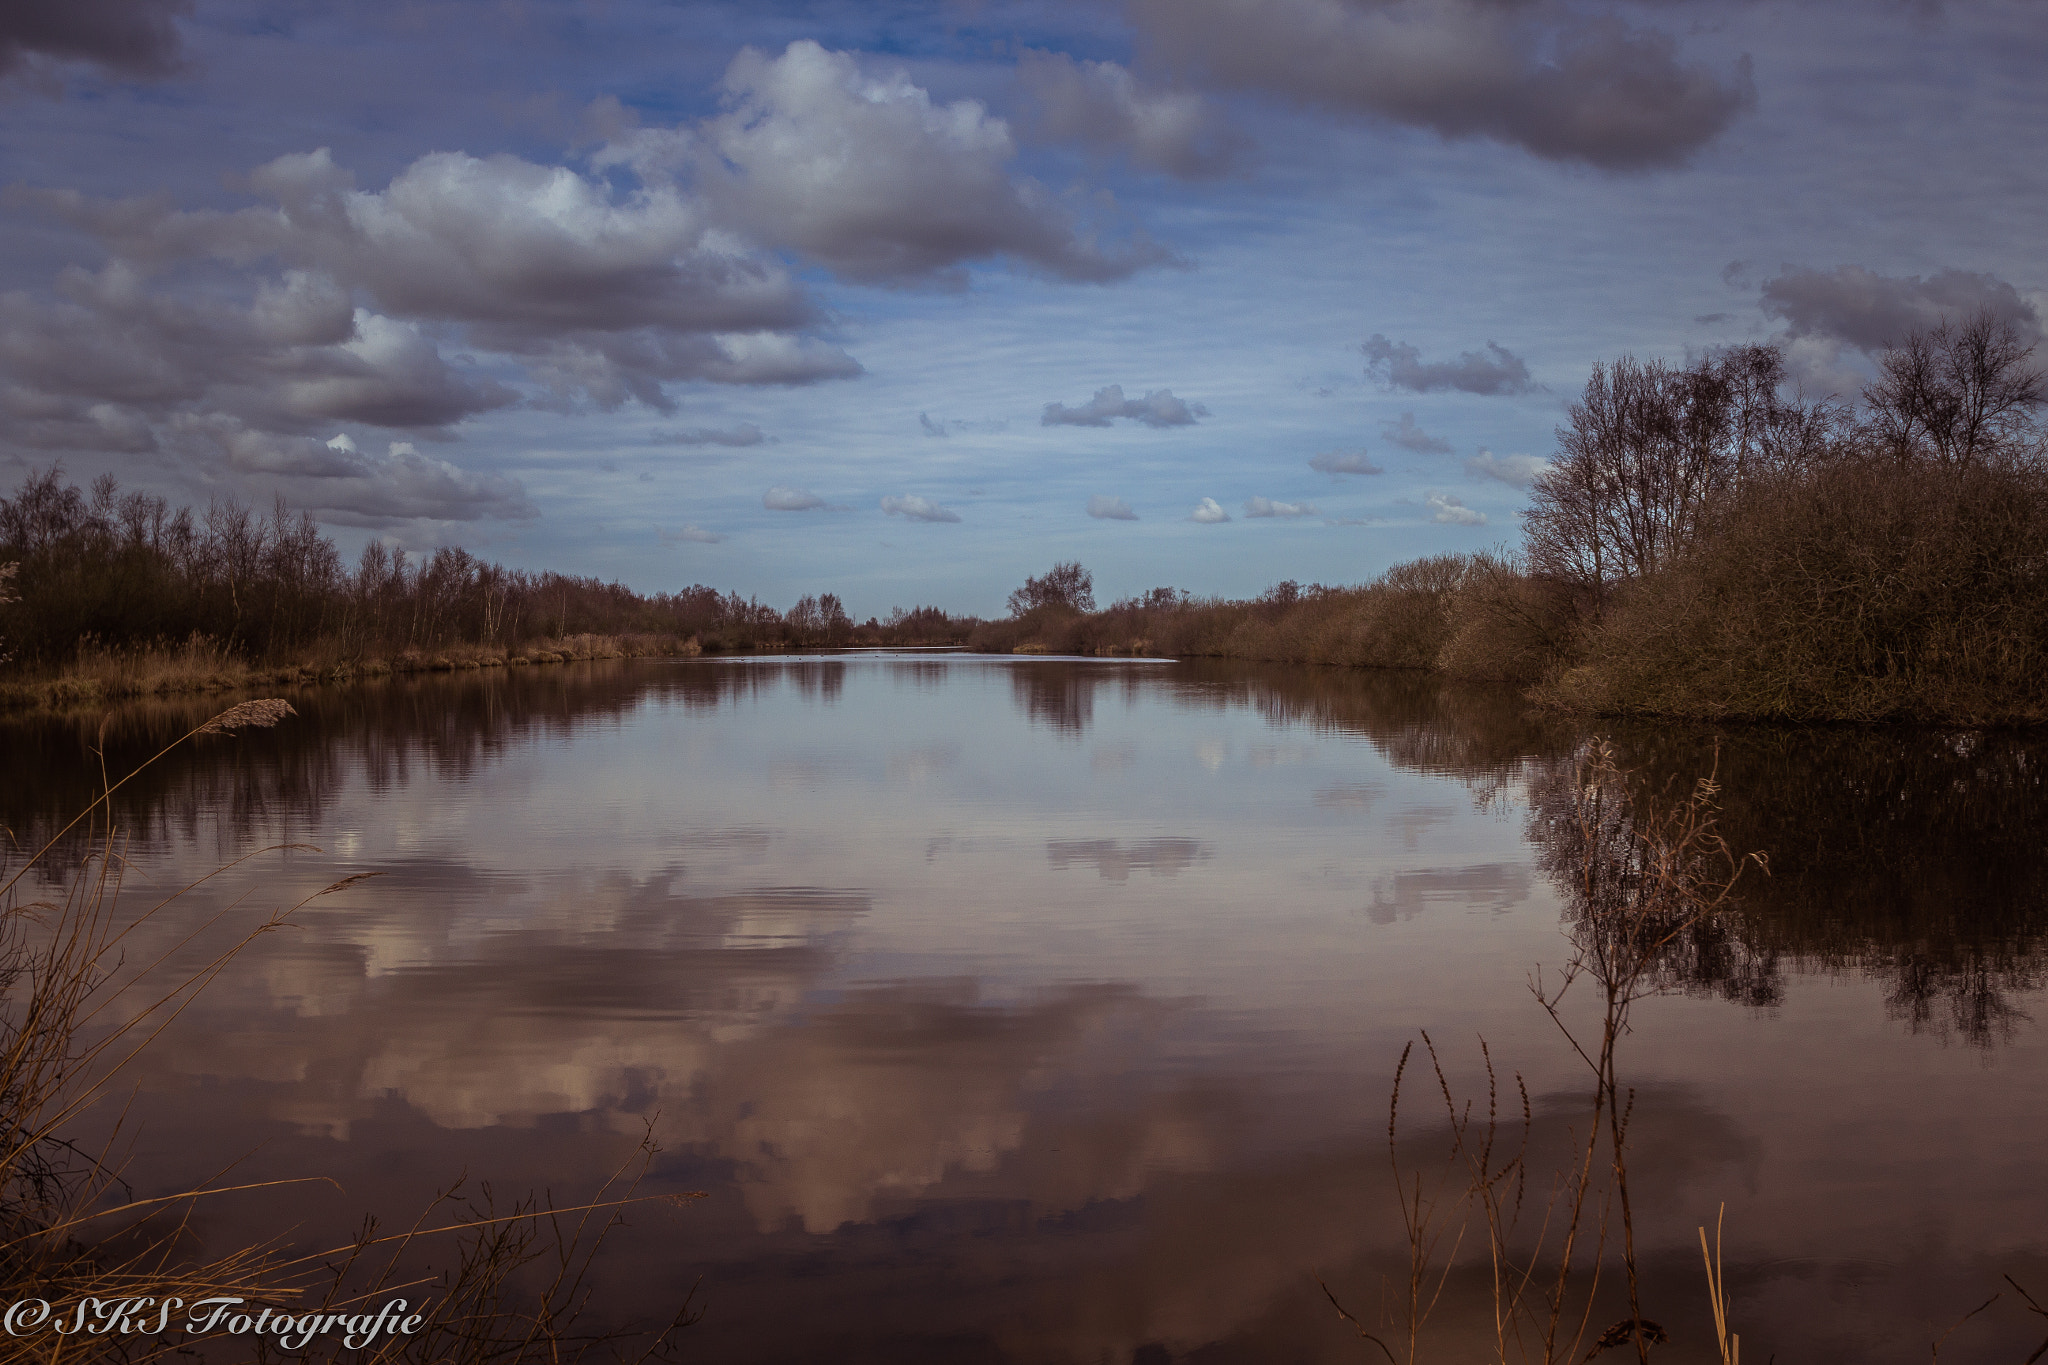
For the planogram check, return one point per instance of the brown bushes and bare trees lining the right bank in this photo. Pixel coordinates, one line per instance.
(1707, 547)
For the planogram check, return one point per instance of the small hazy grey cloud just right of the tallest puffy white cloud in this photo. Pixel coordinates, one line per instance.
(1103, 105)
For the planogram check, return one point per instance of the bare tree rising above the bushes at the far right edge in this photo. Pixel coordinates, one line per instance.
(1959, 396)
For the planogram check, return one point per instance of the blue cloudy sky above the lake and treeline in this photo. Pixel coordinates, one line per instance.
(908, 302)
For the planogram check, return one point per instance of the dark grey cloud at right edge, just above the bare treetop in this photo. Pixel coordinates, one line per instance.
(1871, 312)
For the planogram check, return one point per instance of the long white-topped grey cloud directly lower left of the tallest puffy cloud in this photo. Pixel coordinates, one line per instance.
(607, 298)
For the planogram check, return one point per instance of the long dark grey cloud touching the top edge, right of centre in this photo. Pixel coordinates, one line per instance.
(1558, 83)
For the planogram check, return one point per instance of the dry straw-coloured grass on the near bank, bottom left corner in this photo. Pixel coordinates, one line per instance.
(81, 1000)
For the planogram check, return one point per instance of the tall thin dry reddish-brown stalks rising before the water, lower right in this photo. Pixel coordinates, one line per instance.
(1641, 873)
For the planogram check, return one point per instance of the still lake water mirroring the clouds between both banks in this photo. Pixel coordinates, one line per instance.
(1029, 1010)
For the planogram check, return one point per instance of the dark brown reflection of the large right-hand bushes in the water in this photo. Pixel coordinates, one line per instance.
(1914, 858)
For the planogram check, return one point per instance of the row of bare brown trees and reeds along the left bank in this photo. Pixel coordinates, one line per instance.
(103, 568)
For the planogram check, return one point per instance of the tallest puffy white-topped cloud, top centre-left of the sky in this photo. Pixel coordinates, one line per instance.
(869, 177)
